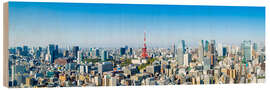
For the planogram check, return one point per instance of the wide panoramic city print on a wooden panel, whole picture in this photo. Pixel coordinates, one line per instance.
(89, 45)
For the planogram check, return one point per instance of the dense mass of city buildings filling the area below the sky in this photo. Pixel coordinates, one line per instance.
(209, 63)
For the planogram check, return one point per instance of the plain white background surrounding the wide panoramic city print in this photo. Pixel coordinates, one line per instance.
(265, 3)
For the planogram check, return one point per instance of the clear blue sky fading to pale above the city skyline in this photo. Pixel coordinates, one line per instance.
(115, 25)
